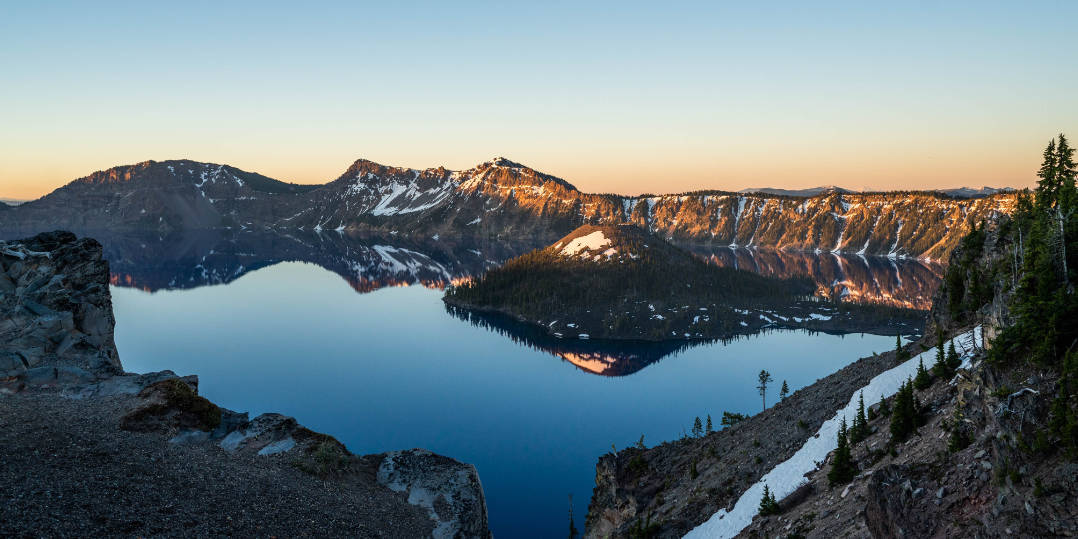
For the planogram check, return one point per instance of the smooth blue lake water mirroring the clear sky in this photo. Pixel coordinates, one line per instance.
(392, 369)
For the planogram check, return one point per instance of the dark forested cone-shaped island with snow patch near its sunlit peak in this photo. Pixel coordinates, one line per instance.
(624, 283)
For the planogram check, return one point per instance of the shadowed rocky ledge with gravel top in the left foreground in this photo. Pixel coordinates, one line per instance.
(91, 450)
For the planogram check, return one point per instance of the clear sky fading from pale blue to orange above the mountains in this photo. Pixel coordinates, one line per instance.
(624, 98)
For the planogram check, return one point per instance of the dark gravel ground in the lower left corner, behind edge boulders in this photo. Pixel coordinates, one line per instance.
(70, 471)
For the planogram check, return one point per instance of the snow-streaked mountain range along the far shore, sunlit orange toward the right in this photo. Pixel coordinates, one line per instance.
(499, 198)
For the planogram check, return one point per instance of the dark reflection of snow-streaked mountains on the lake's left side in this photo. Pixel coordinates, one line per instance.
(202, 258)
